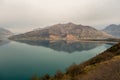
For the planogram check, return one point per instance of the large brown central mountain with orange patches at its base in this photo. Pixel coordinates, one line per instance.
(67, 31)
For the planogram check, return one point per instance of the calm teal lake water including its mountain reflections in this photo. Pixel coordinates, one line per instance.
(22, 60)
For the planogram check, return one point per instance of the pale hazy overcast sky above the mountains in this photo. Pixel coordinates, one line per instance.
(25, 15)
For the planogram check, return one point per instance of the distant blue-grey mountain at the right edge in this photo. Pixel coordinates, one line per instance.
(113, 30)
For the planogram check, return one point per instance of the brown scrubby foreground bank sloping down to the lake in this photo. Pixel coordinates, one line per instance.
(105, 66)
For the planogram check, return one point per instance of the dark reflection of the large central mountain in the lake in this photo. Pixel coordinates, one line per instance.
(65, 46)
